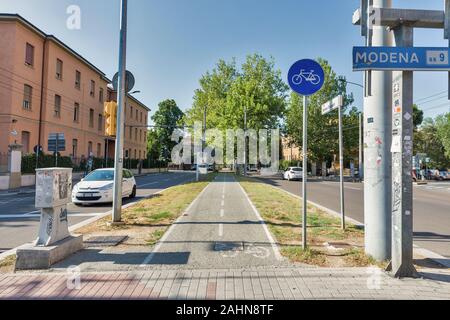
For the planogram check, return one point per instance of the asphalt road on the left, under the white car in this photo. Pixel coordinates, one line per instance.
(19, 220)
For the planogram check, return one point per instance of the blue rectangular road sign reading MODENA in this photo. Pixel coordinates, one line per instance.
(401, 58)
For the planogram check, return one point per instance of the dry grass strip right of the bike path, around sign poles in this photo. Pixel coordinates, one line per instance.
(329, 245)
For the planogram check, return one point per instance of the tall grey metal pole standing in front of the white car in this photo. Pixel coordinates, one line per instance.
(118, 166)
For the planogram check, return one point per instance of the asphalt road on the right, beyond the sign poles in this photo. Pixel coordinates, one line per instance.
(431, 207)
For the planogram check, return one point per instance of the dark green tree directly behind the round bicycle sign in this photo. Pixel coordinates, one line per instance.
(323, 129)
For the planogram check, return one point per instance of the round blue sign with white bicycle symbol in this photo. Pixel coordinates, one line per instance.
(306, 77)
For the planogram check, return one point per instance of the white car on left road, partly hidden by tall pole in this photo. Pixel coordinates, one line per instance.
(97, 187)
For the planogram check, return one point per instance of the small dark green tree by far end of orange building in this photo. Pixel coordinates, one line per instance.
(166, 119)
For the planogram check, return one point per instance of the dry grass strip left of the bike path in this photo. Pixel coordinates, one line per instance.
(146, 222)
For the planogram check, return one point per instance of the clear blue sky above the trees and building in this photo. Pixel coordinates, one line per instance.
(171, 43)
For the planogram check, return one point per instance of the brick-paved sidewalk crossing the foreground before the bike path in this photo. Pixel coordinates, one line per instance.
(230, 284)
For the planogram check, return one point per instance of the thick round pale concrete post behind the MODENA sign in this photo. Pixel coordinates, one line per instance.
(377, 164)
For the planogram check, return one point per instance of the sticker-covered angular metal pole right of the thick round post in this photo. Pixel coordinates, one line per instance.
(402, 152)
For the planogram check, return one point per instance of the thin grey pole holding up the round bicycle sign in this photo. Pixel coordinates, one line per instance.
(305, 172)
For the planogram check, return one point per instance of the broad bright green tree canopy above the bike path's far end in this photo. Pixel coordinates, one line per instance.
(226, 90)
